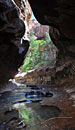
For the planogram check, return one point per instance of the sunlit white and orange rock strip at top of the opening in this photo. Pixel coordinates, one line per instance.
(25, 13)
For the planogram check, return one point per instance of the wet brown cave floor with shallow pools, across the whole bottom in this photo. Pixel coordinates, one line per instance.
(56, 112)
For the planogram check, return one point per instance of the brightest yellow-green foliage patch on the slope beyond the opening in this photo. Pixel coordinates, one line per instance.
(35, 57)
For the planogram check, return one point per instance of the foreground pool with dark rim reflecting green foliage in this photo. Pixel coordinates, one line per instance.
(34, 114)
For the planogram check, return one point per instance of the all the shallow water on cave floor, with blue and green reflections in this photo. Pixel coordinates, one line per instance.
(24, 109)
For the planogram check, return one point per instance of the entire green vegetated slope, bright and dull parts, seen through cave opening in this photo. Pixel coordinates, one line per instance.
(36, 57)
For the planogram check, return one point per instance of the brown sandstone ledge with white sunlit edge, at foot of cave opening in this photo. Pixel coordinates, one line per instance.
(40, 76)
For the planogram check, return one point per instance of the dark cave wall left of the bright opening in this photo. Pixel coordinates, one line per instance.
(12, 29)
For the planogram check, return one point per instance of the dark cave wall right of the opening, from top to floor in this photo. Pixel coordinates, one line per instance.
(60, 16)
